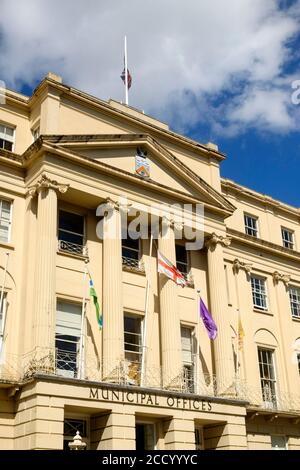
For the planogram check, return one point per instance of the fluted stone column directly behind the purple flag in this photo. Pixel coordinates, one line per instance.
(223, 354)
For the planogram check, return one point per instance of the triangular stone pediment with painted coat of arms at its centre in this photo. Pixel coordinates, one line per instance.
(142, 156)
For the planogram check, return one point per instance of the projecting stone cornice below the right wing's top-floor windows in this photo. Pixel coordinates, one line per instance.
(263, 245)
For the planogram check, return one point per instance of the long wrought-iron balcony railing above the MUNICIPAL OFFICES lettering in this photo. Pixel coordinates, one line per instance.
(65, 364)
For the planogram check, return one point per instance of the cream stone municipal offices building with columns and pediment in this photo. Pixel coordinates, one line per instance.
(138, 383)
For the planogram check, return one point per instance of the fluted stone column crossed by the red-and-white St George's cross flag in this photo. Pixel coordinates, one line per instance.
(169, 314)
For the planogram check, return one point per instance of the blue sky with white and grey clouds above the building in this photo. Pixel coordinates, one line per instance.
(214, 70)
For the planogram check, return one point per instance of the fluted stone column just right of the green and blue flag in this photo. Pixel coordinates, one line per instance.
(113, 315)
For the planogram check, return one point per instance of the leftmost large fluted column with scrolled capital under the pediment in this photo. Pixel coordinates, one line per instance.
(45, 264)
